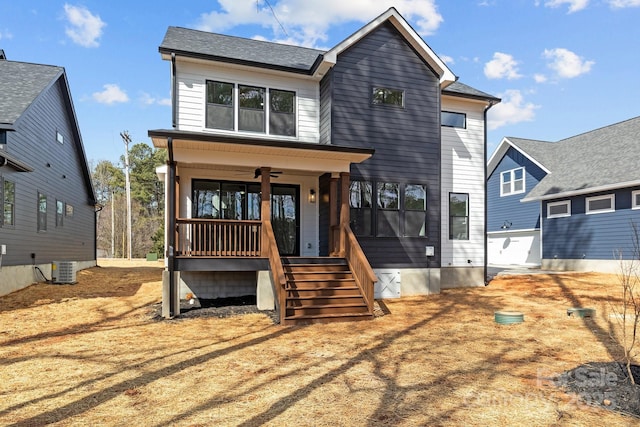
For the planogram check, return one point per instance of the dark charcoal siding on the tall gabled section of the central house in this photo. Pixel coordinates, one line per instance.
(406, 140)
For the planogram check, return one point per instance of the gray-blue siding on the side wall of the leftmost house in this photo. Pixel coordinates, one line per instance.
(57, 174)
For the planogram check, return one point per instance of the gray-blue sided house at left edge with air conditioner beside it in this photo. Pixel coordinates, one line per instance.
(47, 199)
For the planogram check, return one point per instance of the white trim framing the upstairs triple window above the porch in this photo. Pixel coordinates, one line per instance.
(235, 106)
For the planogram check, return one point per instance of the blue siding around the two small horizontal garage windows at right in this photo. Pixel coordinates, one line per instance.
(594, 236)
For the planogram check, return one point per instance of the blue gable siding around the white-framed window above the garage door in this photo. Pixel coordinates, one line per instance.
(522, 216)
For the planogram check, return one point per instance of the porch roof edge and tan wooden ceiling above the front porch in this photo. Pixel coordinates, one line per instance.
(208, 149)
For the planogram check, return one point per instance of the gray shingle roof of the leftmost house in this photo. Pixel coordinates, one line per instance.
(20, 85)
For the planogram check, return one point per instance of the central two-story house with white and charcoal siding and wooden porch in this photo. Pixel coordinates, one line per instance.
(370, 155)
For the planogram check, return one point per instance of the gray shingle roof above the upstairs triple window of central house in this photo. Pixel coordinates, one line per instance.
(240, 50)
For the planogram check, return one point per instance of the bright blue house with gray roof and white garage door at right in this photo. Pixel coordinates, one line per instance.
(565, 205)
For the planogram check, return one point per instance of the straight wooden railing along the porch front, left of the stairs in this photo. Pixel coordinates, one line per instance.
(218, 238)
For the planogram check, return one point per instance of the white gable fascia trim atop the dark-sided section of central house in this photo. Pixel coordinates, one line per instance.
(446, 75)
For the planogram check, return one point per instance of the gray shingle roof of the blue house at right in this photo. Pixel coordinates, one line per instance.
(600, 158)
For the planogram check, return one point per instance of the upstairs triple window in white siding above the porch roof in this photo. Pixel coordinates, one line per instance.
(246, 108)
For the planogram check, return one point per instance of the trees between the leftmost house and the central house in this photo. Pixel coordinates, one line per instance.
(147, 204)
